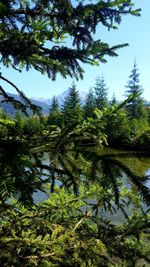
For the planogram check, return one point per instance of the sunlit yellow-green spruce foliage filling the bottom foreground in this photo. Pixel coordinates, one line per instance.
(66, 231)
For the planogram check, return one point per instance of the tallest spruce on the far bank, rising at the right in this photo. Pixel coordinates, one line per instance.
(135, 108)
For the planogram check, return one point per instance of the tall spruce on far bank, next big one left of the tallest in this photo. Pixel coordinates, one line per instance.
(100, 90)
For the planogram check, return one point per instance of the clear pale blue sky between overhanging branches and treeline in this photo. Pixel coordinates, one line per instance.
(133, 30)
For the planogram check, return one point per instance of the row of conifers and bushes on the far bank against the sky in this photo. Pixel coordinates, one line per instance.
(128, 126)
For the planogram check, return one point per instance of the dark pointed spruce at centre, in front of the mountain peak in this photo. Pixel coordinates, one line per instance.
(71, 109)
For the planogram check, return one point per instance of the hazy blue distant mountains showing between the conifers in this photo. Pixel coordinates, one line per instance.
(41, 102)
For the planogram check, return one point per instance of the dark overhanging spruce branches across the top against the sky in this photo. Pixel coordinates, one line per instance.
(28, 27)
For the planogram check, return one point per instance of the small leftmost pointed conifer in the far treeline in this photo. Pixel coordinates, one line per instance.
(54, 117)
